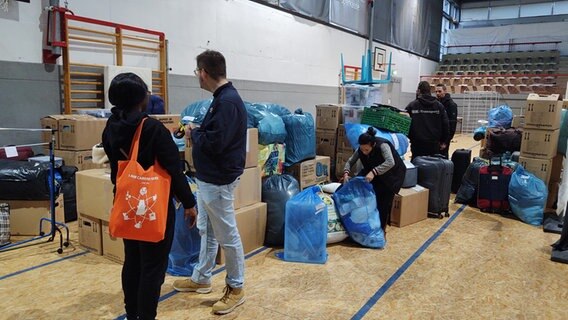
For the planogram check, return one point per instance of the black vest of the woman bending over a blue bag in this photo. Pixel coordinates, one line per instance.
(391, 179)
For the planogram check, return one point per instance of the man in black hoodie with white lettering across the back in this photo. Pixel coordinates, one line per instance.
(429, 127)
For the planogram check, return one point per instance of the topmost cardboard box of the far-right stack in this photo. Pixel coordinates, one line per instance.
(543, 112)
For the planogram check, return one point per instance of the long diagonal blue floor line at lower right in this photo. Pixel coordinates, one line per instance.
(385, 287)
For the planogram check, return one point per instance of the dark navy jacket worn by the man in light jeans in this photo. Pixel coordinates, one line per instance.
(219, 144)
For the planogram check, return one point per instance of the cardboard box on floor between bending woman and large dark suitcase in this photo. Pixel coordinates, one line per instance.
(410, 205)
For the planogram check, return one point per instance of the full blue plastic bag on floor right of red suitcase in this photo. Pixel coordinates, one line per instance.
(527, 196)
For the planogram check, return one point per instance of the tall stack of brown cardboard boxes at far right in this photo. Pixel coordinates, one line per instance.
(540, 141)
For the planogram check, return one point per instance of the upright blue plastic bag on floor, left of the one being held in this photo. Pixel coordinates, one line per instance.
(305, 228)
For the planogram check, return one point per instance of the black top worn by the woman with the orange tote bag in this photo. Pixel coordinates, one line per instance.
(156, 143)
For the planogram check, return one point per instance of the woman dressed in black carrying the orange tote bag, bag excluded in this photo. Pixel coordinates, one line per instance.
(145, 263)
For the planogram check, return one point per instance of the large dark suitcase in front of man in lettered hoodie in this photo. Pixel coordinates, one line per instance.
(435, 173)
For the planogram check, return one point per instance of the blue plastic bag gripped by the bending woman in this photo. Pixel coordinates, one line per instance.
(357, 207)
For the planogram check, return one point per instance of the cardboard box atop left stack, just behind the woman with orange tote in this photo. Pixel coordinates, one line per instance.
(80, 132)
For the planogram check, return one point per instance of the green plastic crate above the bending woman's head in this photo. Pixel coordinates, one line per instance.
(384, 118)
